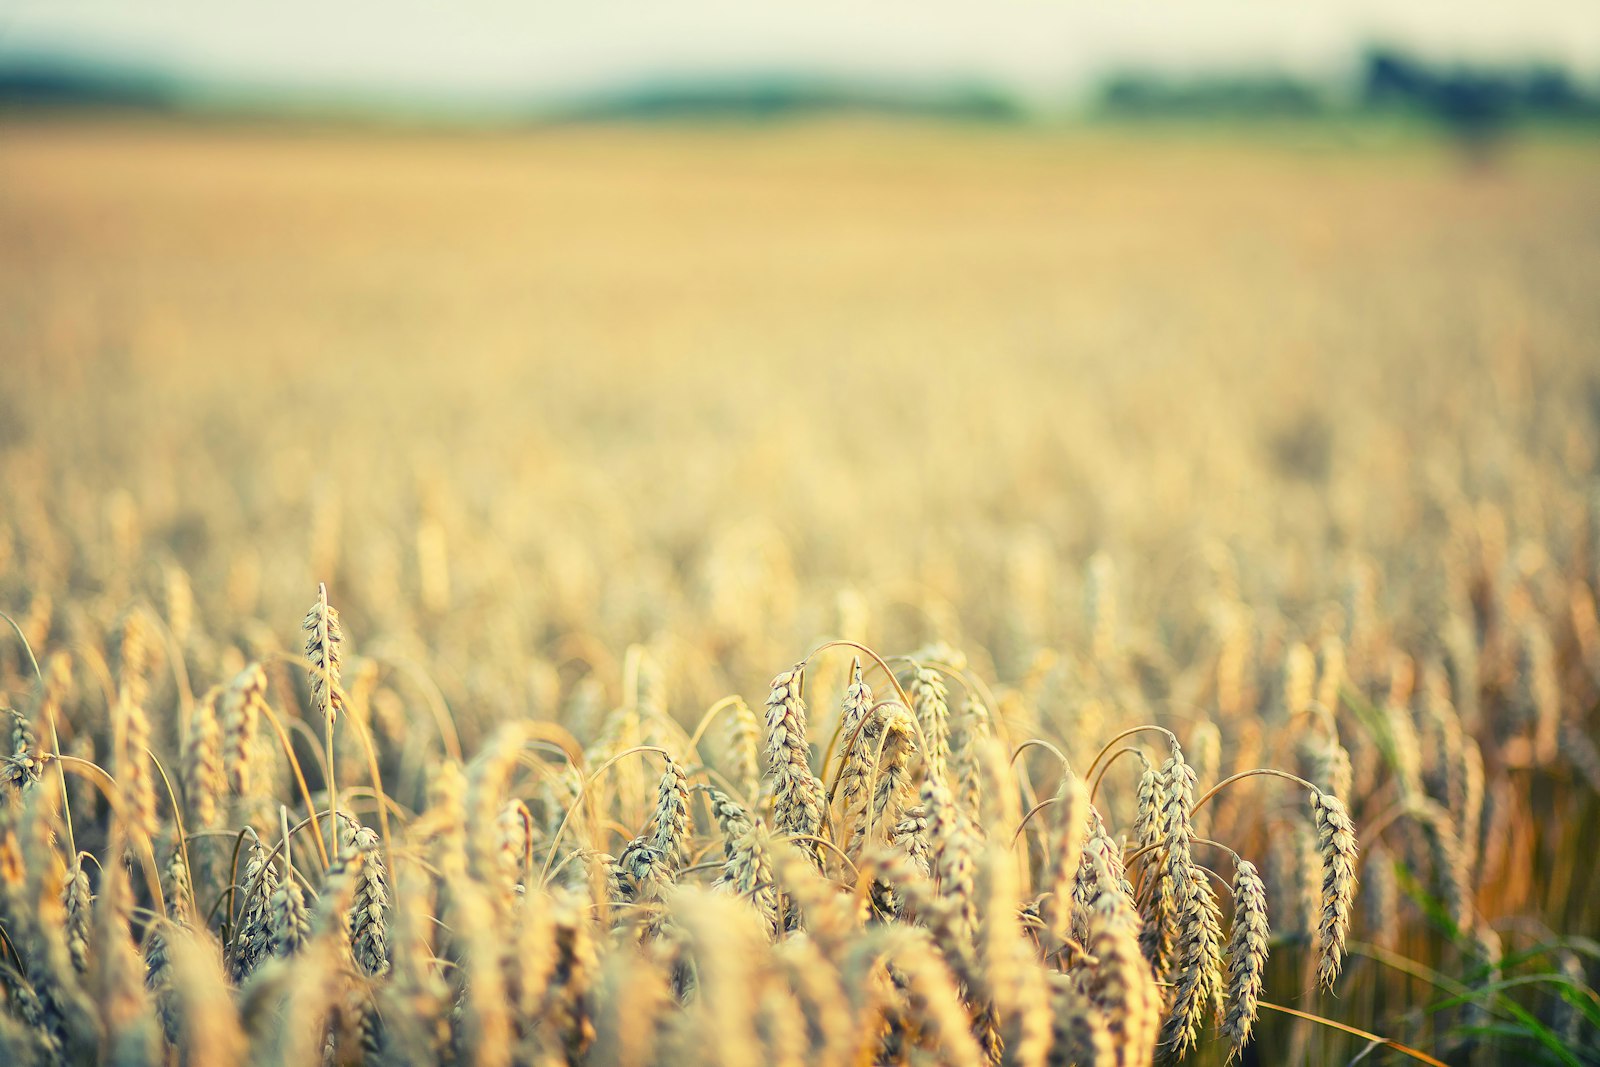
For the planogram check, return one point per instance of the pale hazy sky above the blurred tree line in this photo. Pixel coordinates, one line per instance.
(535, 49)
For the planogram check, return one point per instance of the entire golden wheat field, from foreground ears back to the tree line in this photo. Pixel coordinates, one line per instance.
(820, 594)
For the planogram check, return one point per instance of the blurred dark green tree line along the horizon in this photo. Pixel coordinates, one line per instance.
(1476, 103)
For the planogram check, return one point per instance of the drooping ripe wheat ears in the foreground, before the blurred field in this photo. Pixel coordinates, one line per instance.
(874, 916)
